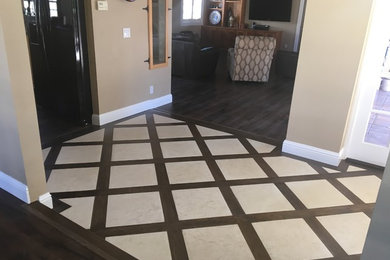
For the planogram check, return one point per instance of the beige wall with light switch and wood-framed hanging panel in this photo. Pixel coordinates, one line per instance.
(122, 77)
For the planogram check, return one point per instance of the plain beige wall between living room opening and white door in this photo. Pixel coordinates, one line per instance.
(332, 42)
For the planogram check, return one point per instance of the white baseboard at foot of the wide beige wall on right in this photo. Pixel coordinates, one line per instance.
(311, 152)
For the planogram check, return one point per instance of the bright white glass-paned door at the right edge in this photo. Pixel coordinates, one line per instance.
(370, 130)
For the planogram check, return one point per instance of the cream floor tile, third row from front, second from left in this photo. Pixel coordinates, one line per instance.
(133, 176)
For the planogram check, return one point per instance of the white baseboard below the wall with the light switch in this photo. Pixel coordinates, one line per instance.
(130, 110)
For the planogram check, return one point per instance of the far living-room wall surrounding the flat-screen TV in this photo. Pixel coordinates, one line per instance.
(288, 28)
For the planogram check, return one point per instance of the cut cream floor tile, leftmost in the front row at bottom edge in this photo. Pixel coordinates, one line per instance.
(148, 246)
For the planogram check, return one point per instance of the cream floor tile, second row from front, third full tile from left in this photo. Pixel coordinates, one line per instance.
(261, 198)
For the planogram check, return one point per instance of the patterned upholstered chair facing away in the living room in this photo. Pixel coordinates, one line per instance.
(251, 58)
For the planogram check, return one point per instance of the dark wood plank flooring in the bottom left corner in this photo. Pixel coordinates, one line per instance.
(25, 236)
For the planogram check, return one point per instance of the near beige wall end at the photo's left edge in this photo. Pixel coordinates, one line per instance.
(16, 83)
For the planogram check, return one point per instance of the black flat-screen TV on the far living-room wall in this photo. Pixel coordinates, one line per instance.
(270, 10)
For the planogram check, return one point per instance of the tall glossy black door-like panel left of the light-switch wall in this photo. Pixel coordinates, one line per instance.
(59, 62)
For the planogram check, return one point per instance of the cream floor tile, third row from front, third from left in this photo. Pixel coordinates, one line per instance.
(187, 172)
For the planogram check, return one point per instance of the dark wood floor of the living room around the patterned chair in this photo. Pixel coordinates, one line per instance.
(257, 108)
